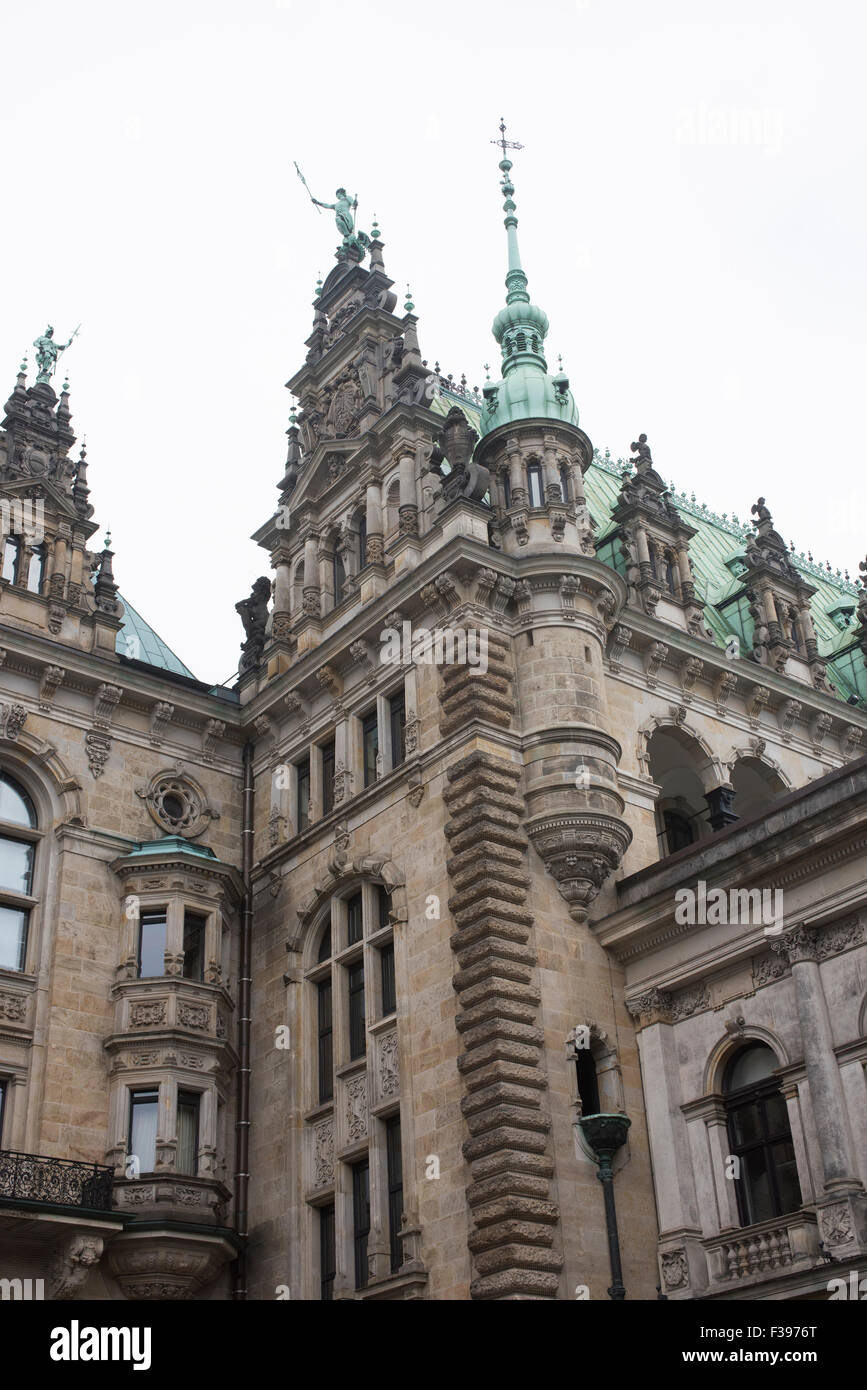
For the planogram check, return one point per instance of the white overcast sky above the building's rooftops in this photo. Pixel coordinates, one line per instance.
(691, 202)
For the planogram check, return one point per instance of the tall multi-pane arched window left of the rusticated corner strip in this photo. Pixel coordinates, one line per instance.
(354, 1099)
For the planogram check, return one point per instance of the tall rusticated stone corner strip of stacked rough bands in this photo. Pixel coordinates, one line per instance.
(501, 1065)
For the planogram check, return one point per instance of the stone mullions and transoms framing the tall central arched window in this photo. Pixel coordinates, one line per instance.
(338, 1192)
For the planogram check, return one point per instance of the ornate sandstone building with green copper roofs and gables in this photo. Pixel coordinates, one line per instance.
(352, 981)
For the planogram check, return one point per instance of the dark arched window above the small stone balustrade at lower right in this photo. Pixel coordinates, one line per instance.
(759, 1136)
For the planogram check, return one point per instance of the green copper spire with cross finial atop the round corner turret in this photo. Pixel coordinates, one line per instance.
(526, 393)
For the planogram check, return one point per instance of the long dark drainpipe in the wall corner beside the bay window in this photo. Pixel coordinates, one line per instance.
(242, 1124)
